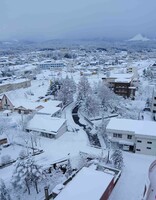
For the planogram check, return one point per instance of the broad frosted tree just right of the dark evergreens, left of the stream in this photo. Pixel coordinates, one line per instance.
(67, 90)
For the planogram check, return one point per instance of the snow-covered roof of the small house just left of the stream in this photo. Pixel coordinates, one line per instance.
(45, 123)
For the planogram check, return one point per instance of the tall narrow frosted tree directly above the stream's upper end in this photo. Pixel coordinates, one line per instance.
(84, 89)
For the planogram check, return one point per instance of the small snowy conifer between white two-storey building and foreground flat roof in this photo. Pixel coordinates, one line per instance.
(117, 159)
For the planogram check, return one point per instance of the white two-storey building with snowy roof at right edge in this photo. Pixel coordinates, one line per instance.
(134, 135)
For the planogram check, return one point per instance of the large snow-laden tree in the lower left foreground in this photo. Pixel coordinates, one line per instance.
(27, 173)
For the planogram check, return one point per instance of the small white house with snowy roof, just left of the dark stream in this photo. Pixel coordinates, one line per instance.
(47, 126)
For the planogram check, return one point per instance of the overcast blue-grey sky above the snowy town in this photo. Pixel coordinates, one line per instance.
(76, 19)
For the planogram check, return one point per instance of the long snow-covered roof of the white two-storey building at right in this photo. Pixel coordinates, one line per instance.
(137, 127)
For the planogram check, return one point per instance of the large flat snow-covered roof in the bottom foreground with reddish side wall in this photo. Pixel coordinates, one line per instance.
(87, 184)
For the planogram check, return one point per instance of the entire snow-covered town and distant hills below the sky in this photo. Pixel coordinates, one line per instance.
(78, 120)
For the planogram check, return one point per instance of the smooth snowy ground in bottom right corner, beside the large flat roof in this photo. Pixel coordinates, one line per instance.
(133, 178)
